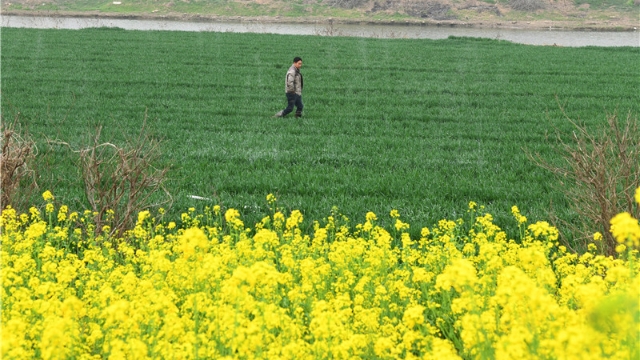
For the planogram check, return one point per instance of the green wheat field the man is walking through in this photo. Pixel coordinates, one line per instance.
(421, 126)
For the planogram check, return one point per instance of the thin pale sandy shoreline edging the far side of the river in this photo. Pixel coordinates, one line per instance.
(471, 23)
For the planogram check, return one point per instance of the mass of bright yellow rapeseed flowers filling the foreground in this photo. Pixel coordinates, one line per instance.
(212, 288)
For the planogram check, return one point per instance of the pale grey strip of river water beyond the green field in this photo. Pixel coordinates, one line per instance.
(530, 37)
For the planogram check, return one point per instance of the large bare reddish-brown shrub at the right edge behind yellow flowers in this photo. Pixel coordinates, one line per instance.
(598, 173)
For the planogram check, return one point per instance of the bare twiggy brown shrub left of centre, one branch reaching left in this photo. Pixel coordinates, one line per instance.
(121, 181)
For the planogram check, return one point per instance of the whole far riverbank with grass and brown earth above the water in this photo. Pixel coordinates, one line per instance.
(594, 14)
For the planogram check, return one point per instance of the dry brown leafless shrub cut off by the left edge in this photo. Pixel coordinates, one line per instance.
(18, 153)
